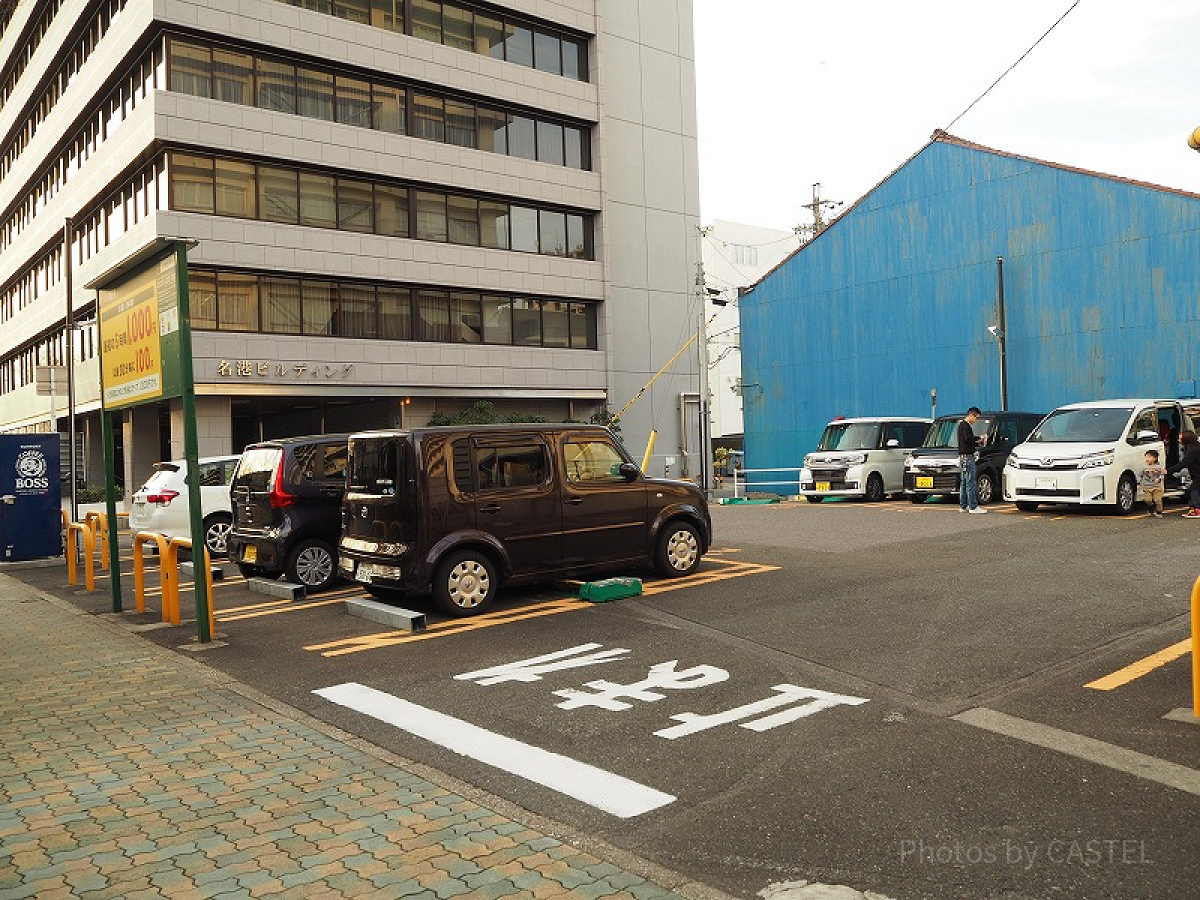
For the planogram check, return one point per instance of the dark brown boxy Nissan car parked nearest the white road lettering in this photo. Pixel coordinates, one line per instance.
(459, 511)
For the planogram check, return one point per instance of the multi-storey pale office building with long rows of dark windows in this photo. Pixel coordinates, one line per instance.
(400, 208)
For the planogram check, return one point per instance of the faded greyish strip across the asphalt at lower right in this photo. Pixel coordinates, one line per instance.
(1084, 748)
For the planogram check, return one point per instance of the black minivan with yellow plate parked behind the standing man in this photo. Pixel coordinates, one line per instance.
(933, 469)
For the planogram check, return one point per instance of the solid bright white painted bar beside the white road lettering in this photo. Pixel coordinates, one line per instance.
(597, 788)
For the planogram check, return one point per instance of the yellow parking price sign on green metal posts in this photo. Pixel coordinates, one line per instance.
(146, 343)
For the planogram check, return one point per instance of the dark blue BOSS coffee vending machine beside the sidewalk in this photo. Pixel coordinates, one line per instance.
(31, 497)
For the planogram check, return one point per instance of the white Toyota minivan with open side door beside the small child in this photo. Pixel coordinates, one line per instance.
(1093, 454)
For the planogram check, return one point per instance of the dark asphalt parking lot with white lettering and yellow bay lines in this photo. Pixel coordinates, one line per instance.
(892, 698)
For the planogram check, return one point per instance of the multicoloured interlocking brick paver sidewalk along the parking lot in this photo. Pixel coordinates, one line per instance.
(128, 771)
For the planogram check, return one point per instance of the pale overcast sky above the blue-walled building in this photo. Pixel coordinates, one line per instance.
(841, 93)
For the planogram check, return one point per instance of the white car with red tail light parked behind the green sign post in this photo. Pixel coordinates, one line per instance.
(161, 503)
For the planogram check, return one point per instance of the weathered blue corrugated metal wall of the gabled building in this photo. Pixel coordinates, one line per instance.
(1102, 296)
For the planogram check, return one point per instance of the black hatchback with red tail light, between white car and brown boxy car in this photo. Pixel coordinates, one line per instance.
(286, 497)
